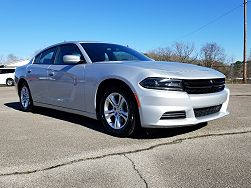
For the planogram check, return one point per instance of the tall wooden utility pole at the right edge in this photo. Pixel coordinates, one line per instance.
(245, 43)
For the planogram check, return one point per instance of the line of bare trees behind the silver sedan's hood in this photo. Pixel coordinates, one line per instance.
(210, 55)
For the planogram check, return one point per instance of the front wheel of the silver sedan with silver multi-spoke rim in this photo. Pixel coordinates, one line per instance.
(118, 112)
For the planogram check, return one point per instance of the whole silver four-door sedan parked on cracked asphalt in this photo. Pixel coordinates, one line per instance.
(121, 87)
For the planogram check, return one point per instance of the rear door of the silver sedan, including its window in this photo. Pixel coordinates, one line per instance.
(37, 75)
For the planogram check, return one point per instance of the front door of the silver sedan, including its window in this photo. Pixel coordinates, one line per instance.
(66, 81)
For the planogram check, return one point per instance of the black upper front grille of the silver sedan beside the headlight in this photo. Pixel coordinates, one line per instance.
(204, 86)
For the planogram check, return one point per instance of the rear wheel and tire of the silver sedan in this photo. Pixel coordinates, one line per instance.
(25, 98)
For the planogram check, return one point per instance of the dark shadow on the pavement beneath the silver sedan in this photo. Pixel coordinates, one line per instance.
(97, 126)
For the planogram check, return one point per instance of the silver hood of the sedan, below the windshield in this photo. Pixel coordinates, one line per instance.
(176, 69)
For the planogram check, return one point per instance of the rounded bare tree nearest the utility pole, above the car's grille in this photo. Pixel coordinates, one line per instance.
(212, 53)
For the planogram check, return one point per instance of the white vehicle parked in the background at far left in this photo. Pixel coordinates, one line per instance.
(7, 76)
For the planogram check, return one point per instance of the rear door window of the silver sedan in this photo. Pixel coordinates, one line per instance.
(46, 57)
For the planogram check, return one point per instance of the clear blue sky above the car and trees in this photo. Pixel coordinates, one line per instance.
(30, 25)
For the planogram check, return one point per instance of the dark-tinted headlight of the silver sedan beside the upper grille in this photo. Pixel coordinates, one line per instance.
(162, 84)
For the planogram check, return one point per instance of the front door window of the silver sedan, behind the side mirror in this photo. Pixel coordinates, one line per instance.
(69, 49)
